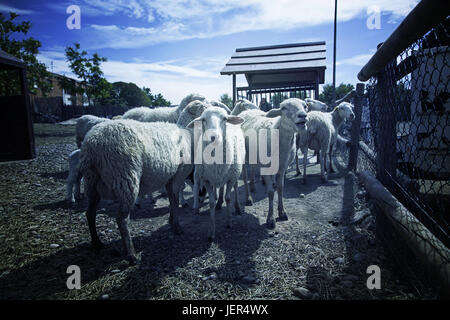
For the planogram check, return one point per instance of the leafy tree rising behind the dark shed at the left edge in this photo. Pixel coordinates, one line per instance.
(25, 49)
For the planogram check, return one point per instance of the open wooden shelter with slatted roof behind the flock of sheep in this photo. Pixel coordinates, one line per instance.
(279, 71)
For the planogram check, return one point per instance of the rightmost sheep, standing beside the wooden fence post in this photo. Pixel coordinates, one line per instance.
(322, 134)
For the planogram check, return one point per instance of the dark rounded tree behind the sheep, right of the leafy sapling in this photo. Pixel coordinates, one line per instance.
(130, 94)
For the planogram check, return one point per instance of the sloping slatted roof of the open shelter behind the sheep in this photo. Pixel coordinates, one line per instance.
(296, 62)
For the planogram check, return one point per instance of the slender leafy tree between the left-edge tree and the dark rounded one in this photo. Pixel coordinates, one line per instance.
(88, 70)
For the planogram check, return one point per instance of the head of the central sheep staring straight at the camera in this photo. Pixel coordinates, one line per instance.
(213, 123)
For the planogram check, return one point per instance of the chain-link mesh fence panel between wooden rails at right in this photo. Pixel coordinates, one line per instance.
(405, 129)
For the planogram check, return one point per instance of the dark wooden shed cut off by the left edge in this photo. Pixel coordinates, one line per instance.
(16, 126)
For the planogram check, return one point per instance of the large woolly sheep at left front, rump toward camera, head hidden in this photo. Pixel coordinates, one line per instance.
(122, 159)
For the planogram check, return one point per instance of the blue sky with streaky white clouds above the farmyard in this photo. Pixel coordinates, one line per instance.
(176, 47)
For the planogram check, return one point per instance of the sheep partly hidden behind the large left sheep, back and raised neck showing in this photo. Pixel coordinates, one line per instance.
(164, 114)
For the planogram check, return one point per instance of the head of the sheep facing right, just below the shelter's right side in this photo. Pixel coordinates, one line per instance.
(292, 110)
